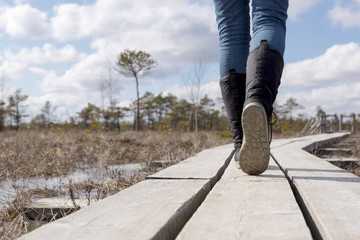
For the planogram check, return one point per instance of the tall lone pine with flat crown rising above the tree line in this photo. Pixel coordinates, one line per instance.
(135, 64)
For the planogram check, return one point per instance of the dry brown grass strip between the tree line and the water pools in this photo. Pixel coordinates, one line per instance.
(56, 153)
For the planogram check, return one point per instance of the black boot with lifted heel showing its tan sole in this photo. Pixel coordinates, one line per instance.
(264, 69)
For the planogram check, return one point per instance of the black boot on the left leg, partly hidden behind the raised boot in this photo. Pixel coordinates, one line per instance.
(233, 92)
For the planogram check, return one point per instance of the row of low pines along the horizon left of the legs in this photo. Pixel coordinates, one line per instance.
(164, 112)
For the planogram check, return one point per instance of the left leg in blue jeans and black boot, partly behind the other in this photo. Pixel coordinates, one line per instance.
(233, 21)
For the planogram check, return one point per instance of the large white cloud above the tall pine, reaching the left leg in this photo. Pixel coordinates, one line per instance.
(177, 29)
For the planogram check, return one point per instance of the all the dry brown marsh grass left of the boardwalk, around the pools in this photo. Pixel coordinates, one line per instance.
(29, 154)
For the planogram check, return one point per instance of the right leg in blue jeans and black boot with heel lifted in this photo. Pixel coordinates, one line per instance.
(264, 68)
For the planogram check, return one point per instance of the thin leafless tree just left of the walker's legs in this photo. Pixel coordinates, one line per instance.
(192, 80)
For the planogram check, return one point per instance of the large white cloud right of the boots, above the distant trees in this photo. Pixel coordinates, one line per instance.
(330, 80)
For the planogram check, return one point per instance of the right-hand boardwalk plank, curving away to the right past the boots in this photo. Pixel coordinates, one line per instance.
(329, 196)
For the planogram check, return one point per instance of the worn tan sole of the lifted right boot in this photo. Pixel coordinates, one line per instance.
(255, 150)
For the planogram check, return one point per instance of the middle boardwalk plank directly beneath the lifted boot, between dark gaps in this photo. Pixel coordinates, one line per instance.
(248, 207)
